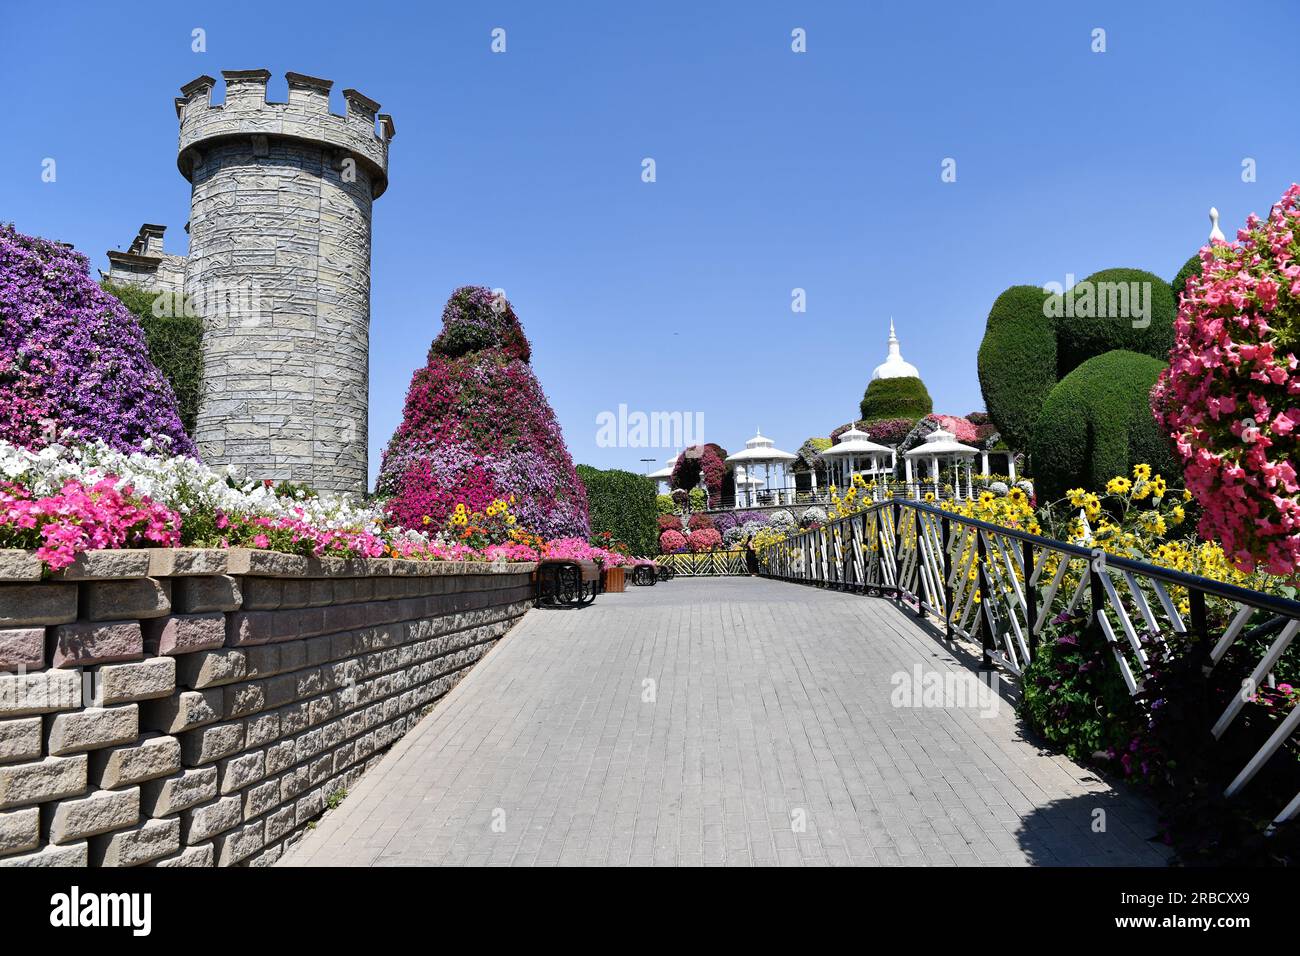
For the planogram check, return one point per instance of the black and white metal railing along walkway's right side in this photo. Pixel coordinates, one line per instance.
(1002, 587)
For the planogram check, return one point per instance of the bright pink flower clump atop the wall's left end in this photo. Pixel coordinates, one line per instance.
(80, 518)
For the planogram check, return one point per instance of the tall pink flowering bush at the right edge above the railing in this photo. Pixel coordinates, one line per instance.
(1230, 399)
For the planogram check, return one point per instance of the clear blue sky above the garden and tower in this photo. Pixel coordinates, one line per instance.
(775, 171)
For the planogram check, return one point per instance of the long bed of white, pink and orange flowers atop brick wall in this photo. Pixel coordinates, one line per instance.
(70, 499)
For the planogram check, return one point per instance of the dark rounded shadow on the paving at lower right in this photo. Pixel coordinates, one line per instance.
(1102, 829)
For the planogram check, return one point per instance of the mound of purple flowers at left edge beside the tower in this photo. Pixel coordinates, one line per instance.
(73, 357)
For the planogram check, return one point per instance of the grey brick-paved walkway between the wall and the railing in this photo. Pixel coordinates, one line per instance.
(770, 739)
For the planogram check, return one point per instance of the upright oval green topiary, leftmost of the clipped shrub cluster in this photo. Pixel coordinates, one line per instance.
(1017, 362)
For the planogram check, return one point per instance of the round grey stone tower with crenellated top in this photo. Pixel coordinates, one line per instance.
(280, 269)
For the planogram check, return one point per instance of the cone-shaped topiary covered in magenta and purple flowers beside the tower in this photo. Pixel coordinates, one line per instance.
(478, 427)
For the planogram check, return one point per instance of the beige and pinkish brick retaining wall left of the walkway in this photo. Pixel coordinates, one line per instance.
(197, 708)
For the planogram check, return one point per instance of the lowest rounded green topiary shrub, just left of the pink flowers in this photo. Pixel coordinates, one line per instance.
(1097, 423)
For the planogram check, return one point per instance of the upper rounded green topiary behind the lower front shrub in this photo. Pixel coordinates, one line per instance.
(1113, 309)
